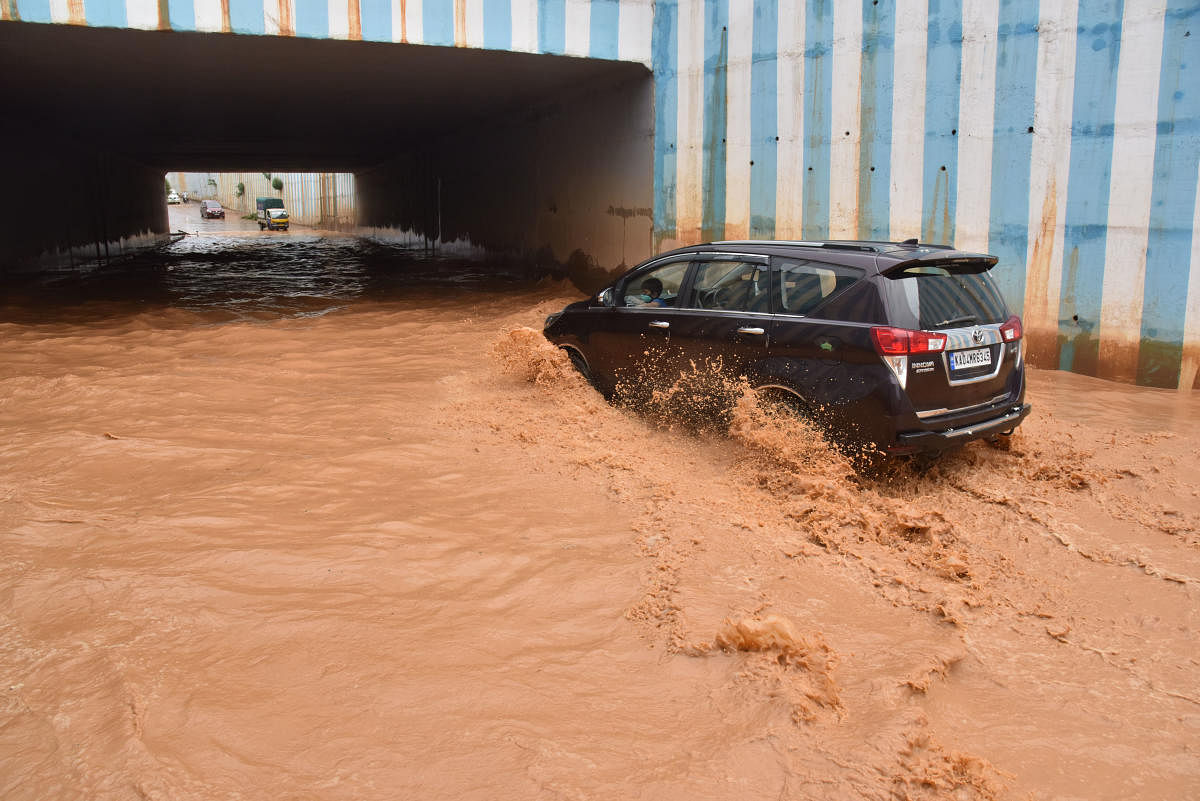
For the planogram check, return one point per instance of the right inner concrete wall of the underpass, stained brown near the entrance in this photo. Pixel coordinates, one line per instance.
(563, 185)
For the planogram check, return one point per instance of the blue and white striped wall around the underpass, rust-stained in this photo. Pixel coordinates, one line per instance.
(1063, 136)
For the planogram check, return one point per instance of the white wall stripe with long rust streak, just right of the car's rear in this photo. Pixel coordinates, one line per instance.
(1051, 167)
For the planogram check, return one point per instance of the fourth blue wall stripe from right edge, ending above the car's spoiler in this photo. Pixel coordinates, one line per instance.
(944, 79)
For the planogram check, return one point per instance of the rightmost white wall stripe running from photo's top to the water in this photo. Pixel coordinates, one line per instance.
(1131, 185)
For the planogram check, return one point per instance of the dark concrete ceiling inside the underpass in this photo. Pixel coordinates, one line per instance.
(230, 103)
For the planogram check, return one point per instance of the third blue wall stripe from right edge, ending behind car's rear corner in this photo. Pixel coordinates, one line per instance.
(1017, 70)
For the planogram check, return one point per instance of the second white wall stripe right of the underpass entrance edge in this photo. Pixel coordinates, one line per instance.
(737, 129)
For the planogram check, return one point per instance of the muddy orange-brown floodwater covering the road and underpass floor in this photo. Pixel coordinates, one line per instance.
(283, 520)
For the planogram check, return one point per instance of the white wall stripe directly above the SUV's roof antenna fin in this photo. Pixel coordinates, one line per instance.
(909, 119)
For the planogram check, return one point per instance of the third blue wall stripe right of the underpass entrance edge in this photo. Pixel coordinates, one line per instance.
(765, 119)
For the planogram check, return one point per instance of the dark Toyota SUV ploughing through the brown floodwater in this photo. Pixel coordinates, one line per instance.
(890, 347)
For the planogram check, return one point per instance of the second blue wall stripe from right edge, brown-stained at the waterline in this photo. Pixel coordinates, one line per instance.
(1097, 55)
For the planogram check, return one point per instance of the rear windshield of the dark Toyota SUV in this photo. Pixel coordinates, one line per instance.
(952, 297)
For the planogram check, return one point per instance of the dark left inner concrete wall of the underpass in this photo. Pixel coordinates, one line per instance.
(67, 207)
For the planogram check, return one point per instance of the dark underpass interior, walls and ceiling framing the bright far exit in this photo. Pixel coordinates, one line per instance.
(495, 154)
